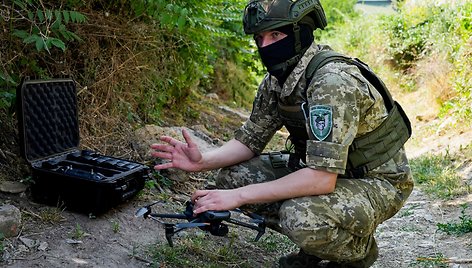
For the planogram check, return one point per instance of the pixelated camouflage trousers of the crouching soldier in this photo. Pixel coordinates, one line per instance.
(337, 226)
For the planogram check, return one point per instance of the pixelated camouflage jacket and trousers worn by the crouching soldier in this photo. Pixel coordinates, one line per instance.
(337, 226)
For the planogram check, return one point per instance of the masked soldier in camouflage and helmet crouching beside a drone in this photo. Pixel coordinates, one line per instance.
(348, 171)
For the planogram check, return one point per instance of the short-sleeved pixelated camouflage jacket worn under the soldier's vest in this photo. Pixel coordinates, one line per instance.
(355, 108)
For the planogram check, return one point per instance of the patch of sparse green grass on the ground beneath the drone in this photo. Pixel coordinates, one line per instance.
(195, 248)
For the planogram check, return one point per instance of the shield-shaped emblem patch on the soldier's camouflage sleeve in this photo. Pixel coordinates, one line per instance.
(321, 121)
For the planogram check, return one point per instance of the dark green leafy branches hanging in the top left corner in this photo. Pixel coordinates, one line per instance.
(40, 28)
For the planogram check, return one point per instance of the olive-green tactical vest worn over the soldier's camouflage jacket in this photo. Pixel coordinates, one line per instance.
(366, 152)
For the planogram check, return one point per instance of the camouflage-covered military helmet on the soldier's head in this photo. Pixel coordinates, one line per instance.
(266, 15)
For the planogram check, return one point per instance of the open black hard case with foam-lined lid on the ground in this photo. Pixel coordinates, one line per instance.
(63, 174)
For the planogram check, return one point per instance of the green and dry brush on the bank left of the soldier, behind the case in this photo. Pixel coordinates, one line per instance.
(194, 38)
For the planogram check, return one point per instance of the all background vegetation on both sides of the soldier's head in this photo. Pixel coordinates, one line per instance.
(136, 59)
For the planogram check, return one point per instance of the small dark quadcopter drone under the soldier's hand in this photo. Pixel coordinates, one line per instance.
(212, 221)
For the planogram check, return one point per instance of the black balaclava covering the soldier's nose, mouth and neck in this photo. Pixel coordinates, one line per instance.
(284, 49)
